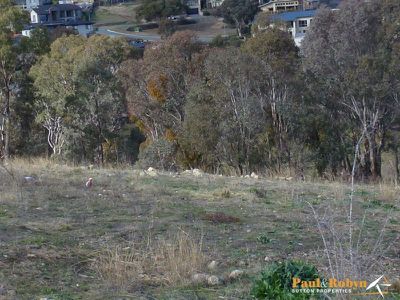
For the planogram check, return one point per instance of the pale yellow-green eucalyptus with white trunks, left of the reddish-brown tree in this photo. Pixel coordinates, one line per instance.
(79, 100)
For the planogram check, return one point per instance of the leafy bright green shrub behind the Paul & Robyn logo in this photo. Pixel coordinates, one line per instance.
(275, 282)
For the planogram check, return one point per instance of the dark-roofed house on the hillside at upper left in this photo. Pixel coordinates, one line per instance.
(65, 15)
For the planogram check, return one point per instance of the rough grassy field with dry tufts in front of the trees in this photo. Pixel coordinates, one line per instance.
(137, 235)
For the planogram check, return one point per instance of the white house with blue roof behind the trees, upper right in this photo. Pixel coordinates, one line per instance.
(296, 22)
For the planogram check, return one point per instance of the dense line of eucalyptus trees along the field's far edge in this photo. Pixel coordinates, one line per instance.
(263, 105)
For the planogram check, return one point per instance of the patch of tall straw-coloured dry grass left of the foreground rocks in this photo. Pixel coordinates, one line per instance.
(169, 262)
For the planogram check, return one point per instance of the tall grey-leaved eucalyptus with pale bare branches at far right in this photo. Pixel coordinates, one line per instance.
(351, 55)
